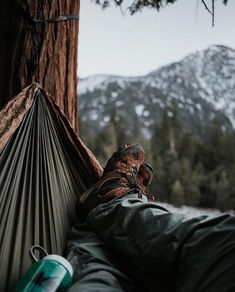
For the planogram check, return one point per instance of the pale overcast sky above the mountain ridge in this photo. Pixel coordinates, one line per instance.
(110, 43)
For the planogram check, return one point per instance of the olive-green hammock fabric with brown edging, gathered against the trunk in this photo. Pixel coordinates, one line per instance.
(44, 167)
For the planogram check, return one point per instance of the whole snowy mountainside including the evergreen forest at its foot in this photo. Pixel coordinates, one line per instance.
(184, 115)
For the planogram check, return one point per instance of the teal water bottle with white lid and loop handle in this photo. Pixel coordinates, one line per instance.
(52, 273)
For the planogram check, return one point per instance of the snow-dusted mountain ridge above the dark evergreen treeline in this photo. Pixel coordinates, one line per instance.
(201, 86)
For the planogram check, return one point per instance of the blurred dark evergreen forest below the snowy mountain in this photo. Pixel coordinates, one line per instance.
(190, 169)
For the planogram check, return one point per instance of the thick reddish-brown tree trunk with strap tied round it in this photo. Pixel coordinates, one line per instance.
(57, 51)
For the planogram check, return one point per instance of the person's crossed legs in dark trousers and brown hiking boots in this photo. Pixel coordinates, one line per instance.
(127, 242)
